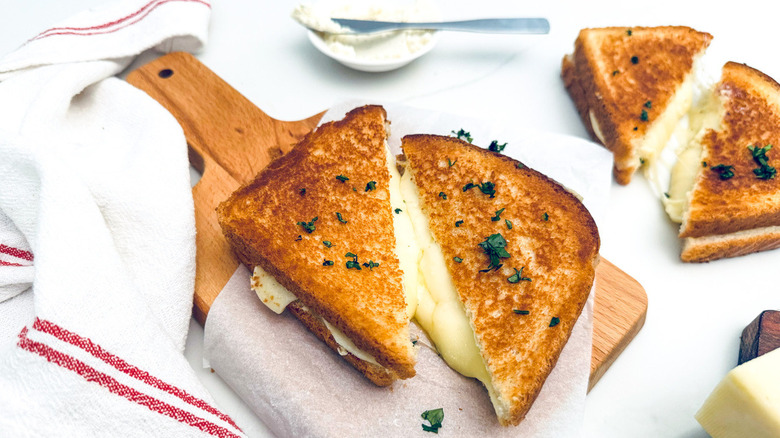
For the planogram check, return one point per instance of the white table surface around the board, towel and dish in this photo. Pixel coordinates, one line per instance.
(696, 311)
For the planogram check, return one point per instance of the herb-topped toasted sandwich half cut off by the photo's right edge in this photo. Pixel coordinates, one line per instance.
(736, 214)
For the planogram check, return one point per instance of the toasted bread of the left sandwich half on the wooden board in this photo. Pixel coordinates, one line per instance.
(301, 216)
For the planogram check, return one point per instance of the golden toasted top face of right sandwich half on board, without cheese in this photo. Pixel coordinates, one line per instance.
(553, 239)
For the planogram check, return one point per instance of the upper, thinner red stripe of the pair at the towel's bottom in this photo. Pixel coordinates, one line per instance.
(120, 364)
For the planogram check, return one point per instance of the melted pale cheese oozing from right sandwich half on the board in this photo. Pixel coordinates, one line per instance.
(440, 311)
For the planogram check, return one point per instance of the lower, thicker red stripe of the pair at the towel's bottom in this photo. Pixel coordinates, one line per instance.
(92, 375)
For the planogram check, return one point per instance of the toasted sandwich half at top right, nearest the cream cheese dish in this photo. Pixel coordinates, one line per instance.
(631, 86)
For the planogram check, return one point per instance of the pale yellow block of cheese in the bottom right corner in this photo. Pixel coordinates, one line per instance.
(746, 403)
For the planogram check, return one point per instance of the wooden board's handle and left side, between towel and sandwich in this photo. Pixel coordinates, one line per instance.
(230, 140)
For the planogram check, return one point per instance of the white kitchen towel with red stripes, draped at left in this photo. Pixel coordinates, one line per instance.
(97, 234)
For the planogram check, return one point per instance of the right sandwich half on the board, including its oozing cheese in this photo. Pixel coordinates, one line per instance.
(507, 260)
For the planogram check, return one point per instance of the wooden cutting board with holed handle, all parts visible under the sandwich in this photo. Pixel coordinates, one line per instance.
(230, 140)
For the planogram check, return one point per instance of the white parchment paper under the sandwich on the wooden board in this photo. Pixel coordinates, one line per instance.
(299, 387)
